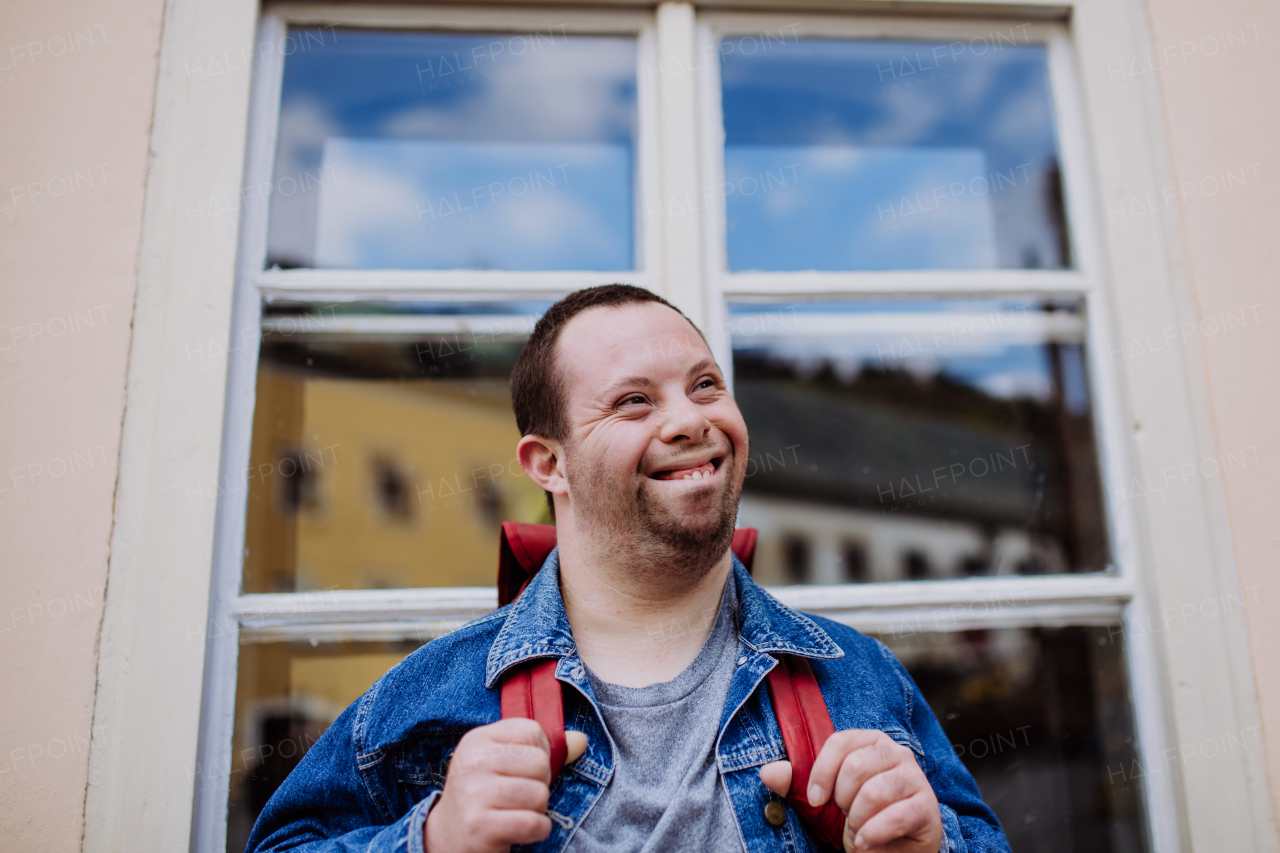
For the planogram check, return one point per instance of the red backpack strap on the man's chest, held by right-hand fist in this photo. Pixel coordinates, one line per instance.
(806, 724)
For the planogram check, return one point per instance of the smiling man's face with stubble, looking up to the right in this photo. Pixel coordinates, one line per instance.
(657, 449)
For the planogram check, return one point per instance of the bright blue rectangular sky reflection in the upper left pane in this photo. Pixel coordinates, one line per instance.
(419, 204)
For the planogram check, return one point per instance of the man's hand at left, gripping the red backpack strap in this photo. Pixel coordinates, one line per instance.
(496, 790)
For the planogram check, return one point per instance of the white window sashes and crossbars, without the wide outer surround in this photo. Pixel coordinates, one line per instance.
(1099, 599)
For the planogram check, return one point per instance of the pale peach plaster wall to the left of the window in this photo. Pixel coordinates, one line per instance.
(76, 94)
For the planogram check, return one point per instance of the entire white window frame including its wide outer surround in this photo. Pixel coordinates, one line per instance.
(161, 688)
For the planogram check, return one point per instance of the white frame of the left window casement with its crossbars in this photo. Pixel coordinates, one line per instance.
(237, 618)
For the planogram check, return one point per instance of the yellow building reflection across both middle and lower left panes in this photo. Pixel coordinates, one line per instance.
(360, 483)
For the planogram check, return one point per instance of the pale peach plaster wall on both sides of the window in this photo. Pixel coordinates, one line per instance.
(75, 153)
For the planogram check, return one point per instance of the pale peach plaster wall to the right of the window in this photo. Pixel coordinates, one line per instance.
(1222, 103)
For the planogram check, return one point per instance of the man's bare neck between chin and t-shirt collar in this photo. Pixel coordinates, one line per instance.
(636, 626)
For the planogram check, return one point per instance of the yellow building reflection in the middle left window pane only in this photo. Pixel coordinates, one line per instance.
(381, 485)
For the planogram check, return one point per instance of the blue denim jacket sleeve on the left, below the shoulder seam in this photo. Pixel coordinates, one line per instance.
(328, 804)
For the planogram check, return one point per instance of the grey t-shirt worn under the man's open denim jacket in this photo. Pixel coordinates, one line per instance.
(666, 793)
